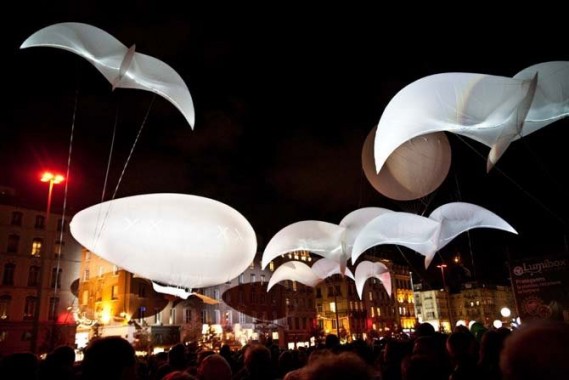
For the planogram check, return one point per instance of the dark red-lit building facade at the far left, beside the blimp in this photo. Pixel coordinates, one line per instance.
(39, 264)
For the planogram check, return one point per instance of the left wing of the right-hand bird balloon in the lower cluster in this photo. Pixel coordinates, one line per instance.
(402, 228)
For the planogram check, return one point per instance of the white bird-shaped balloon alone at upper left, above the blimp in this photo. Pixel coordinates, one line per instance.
(121, 66)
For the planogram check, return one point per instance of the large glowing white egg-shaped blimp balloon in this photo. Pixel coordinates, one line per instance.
(178, 240)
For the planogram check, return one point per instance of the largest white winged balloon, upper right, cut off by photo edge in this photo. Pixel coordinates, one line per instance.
(492, 110)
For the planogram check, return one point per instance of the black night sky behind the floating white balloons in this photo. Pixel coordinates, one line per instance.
(284, 100)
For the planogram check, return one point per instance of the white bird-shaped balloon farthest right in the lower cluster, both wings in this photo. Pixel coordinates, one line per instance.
(426, 235)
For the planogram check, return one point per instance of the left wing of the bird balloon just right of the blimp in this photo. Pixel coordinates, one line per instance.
(321, 238)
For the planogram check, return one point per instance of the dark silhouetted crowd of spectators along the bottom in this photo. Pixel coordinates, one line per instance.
(536, 350)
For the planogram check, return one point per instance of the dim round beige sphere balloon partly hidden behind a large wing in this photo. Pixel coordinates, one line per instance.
(415, 169)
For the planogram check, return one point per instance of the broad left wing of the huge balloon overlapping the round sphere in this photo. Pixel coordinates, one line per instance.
(477, 106)
